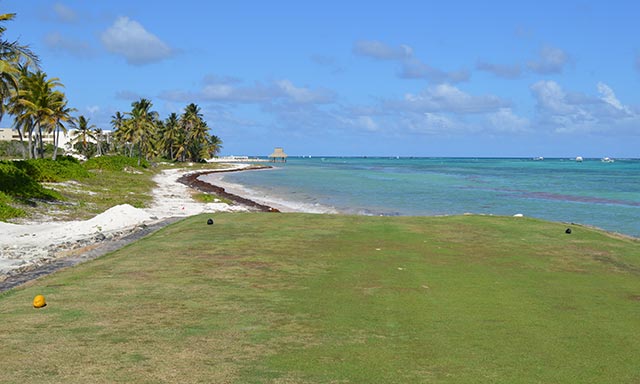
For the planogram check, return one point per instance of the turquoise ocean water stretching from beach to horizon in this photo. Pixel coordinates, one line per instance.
(606, 195)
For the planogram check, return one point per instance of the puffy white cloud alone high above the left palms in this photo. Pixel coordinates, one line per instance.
(130, 39)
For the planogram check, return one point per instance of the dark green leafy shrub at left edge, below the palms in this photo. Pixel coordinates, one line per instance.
(16, 182)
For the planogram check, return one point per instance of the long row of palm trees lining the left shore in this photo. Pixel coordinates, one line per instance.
(39, 107)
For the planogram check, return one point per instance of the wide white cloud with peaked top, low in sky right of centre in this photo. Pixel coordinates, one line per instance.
(447, 98)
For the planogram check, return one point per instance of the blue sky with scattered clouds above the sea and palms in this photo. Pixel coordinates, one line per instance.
(390, 78)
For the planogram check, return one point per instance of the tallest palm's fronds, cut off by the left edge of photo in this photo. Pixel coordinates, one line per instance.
(12, 55)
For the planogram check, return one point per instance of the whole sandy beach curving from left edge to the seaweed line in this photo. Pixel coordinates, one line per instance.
(34, 249)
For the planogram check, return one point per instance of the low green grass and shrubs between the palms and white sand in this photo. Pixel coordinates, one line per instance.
(66, 189)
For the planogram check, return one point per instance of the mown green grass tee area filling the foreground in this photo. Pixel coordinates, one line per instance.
(296, 298)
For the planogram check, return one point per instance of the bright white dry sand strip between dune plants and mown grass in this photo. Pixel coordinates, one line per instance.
(26, 245)
